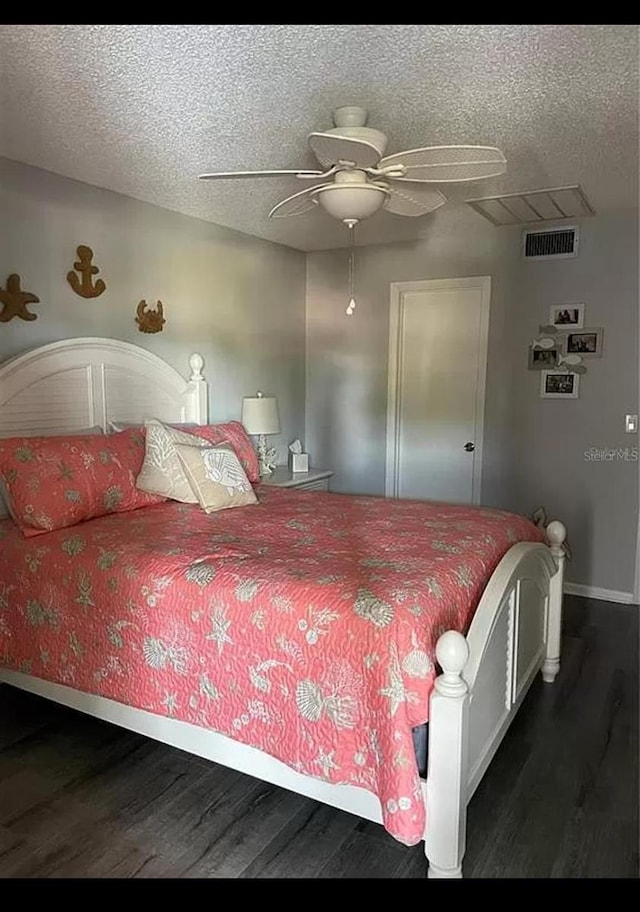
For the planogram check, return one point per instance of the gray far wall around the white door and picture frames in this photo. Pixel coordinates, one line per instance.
(534, 449)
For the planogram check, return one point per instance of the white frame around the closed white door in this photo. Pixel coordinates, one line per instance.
(396, 325)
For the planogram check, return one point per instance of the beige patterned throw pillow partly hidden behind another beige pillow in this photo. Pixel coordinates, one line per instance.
(162, 471)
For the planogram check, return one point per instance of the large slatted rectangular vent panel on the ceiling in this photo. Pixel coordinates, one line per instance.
(531, 206)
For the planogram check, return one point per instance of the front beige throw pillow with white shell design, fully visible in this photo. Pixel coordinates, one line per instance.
(216, 477)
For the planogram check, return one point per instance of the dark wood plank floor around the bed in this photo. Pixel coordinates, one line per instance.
(81, 798)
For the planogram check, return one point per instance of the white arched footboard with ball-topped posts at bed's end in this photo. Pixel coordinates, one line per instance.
(515, 633)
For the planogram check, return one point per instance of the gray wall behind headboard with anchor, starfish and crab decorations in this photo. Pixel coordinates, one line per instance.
(237, 300)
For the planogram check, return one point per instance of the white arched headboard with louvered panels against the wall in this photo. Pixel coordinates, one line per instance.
(80, 383)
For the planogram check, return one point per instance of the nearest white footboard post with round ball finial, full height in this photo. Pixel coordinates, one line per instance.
(446, 788)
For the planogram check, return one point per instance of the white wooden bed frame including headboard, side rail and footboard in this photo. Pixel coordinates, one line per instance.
(486, 675)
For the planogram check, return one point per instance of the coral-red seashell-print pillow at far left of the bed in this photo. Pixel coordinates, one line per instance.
(54, 482)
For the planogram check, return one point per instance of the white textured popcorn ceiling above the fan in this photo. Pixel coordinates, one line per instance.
(143, 109)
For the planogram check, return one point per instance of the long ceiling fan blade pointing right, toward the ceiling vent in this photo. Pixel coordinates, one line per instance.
(447, 164)
